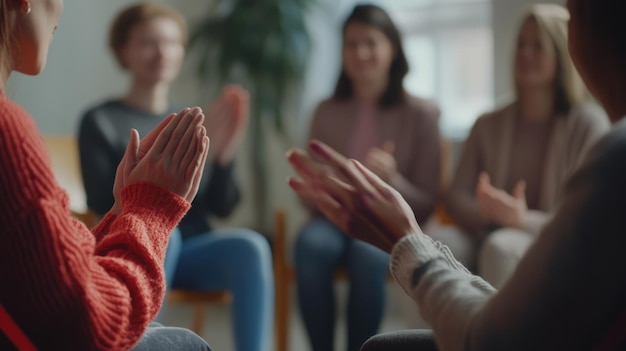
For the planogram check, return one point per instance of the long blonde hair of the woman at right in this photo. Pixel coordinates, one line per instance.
(552, 23)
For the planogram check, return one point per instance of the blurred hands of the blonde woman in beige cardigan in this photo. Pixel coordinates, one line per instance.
(498, 206)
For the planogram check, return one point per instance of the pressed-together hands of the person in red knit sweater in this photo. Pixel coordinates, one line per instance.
(172, 156)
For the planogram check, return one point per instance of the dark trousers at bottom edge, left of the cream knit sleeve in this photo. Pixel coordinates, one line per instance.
(404, 340)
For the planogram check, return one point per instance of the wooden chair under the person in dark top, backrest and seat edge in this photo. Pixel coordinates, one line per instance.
(63, 151)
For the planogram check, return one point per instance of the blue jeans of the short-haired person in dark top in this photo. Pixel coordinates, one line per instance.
(236, 260)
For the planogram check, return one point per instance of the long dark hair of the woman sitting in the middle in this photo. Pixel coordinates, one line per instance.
(375, 16)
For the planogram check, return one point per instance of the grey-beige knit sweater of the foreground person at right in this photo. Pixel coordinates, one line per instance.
(568, 290)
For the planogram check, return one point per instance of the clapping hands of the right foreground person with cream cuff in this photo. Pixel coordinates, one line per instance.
(351, 196)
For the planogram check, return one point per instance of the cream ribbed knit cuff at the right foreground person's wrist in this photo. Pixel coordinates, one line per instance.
(409, 254)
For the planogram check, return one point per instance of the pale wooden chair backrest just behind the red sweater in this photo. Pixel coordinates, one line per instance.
(63, 151)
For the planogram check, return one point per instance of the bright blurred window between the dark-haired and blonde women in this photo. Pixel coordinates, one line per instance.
(449, 45)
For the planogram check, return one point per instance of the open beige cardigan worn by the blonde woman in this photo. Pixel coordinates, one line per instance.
(488, 148)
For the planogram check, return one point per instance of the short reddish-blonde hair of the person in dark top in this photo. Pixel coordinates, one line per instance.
(137, 14)
